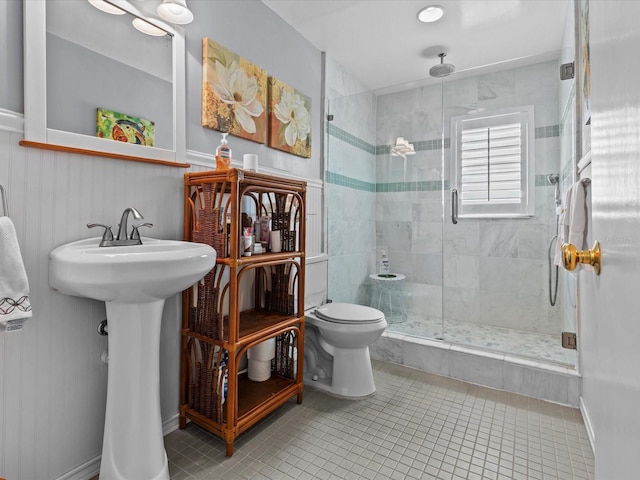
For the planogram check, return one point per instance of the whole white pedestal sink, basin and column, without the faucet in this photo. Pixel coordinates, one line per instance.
(134, 281)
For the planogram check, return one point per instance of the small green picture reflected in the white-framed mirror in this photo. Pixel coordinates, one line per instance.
(124, 128)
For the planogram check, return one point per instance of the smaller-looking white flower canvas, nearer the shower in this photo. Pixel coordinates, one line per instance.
(289, 119)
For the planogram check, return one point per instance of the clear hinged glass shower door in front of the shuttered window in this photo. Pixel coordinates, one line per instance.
(495, 264)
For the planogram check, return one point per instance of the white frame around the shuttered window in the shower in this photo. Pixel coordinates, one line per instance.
(496, 208)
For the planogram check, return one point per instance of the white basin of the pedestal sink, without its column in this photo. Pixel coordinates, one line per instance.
(155, 270)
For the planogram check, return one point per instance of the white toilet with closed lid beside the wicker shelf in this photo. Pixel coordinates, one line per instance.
(337, 338)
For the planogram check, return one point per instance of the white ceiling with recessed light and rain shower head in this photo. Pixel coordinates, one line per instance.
(381, 42)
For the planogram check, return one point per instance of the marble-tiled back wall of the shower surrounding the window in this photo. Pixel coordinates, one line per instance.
(494, 271)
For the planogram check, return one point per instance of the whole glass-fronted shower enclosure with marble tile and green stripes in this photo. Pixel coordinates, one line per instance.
(482, 281)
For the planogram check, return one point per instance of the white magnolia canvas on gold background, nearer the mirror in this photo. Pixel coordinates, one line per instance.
(234, 93)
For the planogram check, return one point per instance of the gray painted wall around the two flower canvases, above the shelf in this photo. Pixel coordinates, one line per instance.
(256, 33)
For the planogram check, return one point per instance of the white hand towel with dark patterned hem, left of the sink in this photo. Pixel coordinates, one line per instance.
(14, 286)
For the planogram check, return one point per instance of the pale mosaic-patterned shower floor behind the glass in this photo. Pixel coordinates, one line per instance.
(504, 340)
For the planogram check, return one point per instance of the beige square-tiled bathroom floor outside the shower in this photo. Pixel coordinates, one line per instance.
(416, 426)
